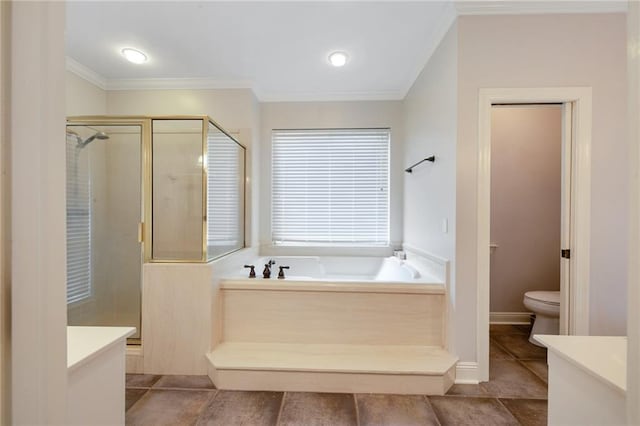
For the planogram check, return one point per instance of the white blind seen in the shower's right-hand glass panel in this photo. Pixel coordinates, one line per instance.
(224, 204)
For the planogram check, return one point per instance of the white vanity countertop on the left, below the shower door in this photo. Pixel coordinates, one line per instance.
(85, 343)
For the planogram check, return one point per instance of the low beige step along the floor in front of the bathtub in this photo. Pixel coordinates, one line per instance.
(398, 369)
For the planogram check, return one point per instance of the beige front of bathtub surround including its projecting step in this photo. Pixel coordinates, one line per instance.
(332, 335)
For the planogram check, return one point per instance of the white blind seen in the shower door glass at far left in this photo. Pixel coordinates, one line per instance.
(78, 222)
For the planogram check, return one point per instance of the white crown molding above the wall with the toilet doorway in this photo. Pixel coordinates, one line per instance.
(527, 7)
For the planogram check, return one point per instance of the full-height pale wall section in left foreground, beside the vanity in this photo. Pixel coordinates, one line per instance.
(38, 258)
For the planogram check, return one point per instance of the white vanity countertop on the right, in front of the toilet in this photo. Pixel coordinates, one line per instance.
(604, 357)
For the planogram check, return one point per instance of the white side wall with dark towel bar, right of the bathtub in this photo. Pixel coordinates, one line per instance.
(430, 110)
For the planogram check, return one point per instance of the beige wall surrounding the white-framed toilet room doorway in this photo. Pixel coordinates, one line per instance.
(541, 51)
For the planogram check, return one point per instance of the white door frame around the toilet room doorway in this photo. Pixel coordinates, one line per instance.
(580, 99)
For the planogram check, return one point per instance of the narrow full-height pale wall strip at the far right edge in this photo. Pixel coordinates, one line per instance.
(633, 316)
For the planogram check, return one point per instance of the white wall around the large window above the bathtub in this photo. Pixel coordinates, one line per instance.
(315, 115)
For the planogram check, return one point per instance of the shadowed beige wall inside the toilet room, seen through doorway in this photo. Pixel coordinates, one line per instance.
(525, 203)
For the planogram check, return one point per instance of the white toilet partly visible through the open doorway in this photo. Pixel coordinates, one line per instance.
(546, 306)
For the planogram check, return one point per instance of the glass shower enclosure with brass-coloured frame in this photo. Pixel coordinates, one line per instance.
(145, 189)
